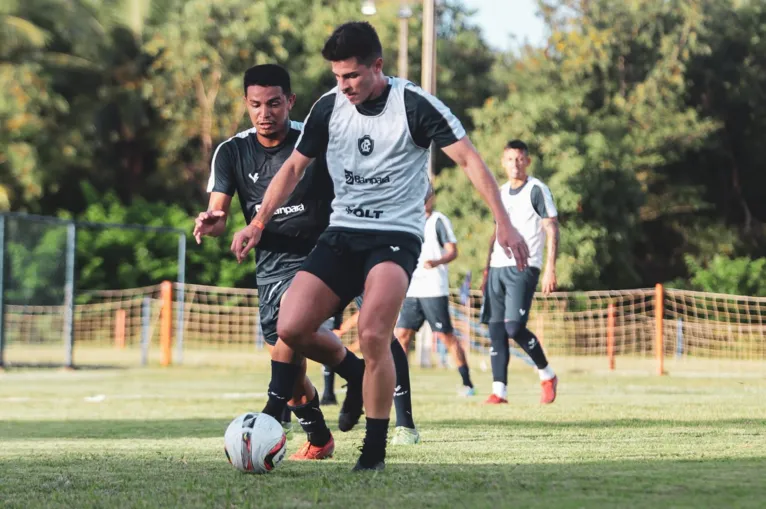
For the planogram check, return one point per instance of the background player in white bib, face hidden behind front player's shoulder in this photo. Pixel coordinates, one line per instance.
(428, 294)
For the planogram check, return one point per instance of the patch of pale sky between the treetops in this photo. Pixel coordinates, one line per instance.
(500, 18)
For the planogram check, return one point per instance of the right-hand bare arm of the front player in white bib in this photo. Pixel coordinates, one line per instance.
(464, 154)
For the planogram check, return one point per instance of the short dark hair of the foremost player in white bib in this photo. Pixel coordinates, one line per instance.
(355, 39)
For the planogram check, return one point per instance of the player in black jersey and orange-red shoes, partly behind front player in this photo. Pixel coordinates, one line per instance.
(245, 164)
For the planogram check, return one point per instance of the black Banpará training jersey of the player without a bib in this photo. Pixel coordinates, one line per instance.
(243, 165)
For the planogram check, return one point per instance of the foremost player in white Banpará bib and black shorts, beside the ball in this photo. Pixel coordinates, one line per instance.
(375, 131)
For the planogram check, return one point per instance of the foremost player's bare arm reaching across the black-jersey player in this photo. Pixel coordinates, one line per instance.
(279, 190)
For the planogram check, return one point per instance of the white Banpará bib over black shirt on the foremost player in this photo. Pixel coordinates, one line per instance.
(378, 160)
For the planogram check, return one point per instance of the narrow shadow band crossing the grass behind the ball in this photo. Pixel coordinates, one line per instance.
(207, 428)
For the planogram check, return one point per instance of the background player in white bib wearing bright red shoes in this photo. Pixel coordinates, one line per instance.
(508, 291)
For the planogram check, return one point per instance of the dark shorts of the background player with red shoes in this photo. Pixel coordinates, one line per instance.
(508, 294)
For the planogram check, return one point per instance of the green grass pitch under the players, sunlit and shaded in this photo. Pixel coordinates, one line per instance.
(153, 438)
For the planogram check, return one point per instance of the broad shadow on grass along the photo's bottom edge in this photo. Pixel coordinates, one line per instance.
(106, 480)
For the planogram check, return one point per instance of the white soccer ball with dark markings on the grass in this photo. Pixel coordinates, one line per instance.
(255, 443)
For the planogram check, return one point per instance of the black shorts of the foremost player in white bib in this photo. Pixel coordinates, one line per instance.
(343, 258)
